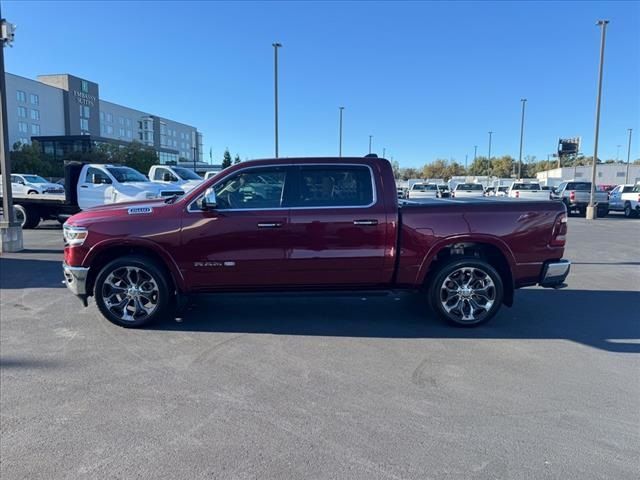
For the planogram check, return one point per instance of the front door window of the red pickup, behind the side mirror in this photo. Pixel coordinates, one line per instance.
(250, 189)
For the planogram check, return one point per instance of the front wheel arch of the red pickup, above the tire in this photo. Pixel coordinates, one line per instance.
(104, 252)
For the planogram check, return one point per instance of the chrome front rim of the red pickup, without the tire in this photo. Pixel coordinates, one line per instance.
(130, 293)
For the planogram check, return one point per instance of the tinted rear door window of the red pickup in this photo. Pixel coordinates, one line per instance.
(334, 186)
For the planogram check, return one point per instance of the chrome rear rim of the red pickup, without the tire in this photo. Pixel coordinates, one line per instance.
(468, 293)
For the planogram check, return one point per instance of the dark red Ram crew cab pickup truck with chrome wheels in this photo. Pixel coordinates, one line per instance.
(312, 224)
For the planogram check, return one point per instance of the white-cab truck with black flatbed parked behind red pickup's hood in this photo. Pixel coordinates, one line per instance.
(88, 185)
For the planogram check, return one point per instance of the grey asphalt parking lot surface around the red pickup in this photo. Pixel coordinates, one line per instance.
(326, 387)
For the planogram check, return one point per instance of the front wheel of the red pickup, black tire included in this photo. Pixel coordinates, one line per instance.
(106, 290)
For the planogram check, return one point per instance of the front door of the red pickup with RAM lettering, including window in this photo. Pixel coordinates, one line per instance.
(243, 240)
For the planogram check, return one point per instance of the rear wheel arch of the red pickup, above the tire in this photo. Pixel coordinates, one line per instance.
(491, 249)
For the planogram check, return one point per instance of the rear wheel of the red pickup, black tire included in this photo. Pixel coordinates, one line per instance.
(454, 270)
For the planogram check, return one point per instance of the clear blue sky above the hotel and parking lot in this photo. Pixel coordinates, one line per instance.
(427, 80)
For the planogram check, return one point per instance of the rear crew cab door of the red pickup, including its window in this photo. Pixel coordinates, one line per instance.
(338, 227)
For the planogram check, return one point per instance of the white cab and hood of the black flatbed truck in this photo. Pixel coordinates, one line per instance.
(100, 184)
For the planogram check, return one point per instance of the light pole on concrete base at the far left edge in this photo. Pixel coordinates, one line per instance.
(10, 230)
